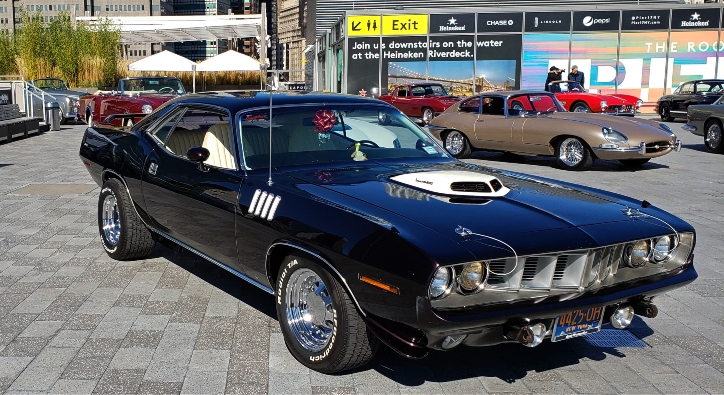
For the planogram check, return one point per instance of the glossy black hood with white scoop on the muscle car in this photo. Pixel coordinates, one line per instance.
(534, 215)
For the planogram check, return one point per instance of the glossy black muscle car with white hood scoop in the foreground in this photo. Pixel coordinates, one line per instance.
(366, 231)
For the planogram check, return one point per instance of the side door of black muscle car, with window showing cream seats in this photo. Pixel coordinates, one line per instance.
(192, 203)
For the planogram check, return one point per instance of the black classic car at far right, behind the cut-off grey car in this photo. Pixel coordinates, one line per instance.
(674, 105)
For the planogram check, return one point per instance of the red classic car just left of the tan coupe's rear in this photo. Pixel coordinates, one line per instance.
(423, 100)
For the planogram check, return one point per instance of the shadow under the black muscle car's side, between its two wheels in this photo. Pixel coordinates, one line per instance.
(219, 278)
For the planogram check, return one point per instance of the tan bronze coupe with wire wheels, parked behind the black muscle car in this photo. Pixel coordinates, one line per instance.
(535, 123)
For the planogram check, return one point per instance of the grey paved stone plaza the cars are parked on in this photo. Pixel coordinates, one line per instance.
(74, 321)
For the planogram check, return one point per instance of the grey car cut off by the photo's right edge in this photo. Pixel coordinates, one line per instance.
(707, 120)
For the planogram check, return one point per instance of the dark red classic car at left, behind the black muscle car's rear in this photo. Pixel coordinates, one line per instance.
(133, 98)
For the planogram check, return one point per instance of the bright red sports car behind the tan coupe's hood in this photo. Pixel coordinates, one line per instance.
(582, 101)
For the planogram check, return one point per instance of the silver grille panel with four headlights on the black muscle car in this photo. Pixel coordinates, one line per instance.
(563, 273)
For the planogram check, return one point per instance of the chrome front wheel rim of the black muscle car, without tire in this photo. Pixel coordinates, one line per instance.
(309, 310)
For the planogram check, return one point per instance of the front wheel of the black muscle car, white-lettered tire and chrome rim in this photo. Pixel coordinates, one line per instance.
(346, 345)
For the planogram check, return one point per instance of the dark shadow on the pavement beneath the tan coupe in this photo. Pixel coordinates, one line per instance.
(548, 161)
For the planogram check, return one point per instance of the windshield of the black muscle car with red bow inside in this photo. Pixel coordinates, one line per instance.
(318, 134)
